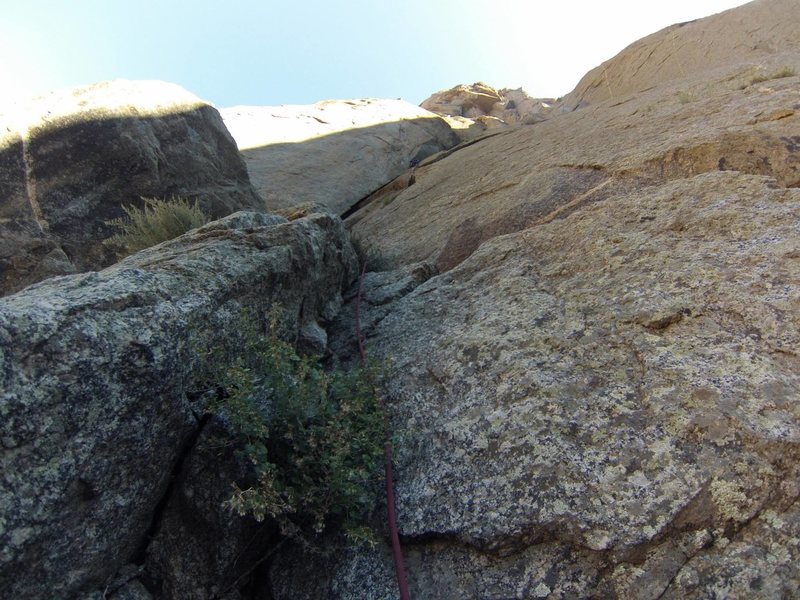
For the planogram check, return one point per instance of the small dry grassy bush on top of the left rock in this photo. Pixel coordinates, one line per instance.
(155, 222)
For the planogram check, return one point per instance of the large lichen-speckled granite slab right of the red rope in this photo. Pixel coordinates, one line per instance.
(615, 384)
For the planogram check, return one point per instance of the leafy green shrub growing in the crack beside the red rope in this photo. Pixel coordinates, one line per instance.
(315, 439)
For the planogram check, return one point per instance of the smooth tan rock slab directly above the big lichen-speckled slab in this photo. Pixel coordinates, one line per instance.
(521, 177)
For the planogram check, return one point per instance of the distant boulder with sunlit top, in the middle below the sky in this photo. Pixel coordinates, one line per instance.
(335, 152)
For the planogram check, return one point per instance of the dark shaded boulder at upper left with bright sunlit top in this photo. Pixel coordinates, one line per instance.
(71, 160)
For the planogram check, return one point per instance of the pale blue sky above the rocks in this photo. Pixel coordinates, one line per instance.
(267, 52)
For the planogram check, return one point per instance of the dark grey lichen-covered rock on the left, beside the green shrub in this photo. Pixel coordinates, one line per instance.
(97, 415)
